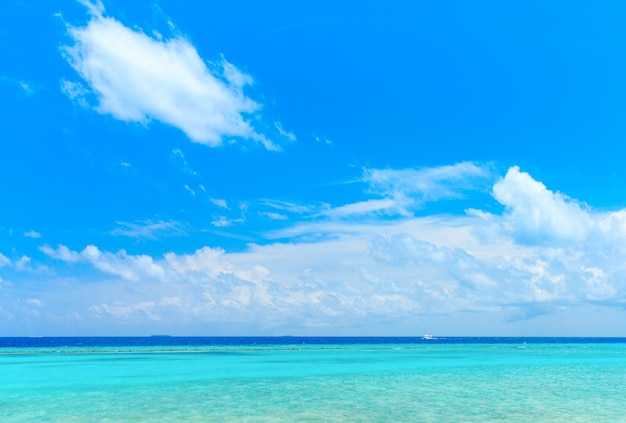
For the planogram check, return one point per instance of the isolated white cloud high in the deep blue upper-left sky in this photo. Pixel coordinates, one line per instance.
(136, 77)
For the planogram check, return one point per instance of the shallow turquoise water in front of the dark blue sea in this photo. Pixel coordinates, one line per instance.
(349, 382)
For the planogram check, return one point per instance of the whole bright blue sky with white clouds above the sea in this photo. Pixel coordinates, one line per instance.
(312, 168)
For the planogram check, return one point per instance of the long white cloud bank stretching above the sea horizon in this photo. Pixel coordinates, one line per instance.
(544, 254)
